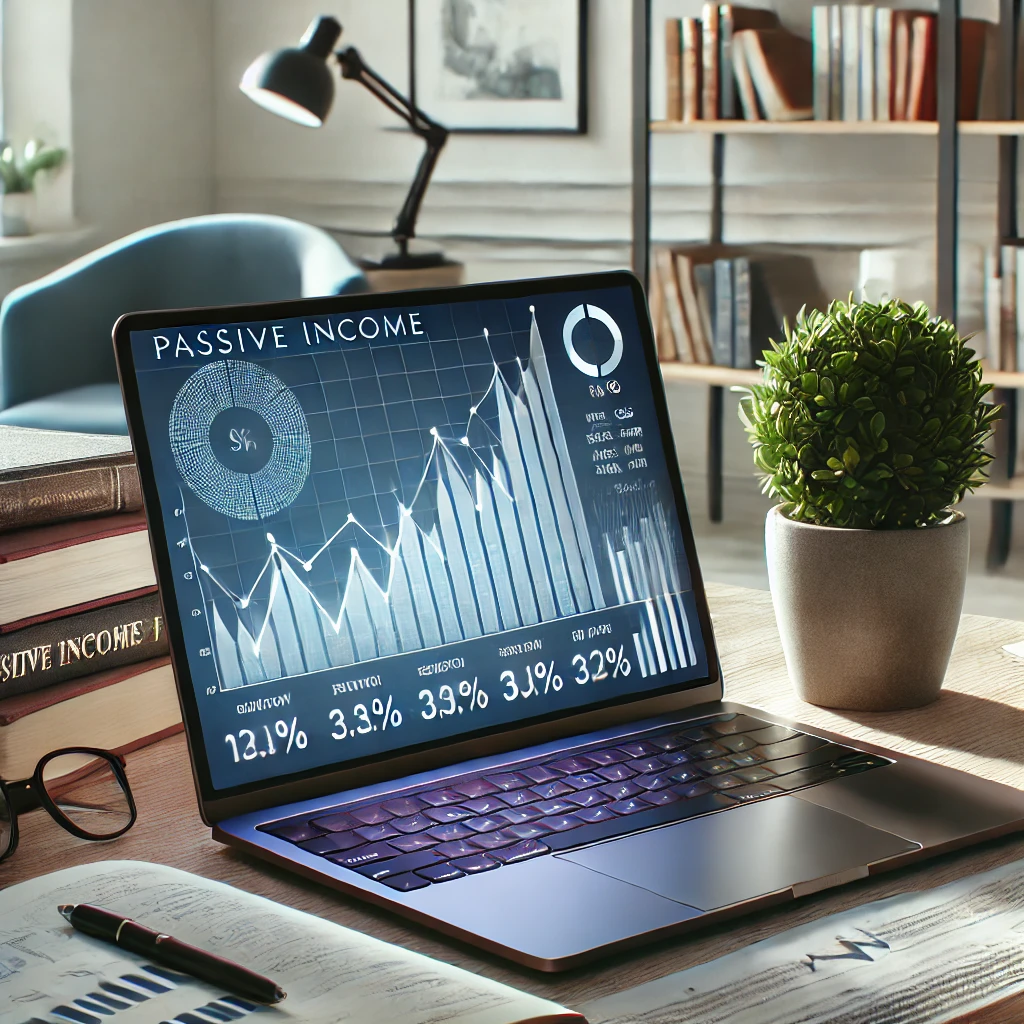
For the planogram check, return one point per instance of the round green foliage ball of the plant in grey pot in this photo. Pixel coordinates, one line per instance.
(870, 416)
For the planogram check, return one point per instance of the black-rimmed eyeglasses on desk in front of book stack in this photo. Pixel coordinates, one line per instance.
(84, 790)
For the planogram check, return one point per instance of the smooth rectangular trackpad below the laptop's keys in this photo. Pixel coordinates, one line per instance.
(743, 854)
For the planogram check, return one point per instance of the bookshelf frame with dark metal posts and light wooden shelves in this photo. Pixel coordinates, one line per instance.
(1006, 488)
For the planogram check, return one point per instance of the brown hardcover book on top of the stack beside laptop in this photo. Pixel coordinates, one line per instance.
(53, 476)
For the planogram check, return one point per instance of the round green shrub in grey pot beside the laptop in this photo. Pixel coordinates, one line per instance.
(870, 425)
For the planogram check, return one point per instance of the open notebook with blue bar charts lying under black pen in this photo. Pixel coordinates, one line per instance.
(51, 974)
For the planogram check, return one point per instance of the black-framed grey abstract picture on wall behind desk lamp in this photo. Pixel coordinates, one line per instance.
(500, 66)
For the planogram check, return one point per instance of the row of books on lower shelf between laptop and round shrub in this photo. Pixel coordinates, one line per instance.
(717, 306)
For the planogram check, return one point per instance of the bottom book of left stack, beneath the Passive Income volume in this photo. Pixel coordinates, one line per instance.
(119, 710)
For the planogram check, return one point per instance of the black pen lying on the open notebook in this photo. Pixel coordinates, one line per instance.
(170, 953)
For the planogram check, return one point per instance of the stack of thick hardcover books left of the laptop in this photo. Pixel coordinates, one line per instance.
(83, 649)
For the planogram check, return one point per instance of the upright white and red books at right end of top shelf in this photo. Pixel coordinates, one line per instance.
(879, 64)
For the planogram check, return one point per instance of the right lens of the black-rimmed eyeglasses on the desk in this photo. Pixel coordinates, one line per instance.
(86, 790)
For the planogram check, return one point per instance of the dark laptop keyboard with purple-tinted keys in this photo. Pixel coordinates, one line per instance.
(482, 823)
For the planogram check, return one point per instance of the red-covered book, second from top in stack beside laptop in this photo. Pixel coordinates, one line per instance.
(47, 569)
